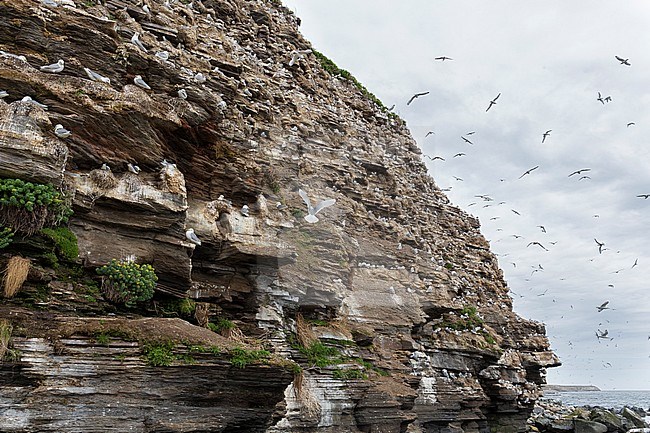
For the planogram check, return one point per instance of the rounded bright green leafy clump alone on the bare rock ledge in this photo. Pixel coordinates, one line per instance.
(127, 282)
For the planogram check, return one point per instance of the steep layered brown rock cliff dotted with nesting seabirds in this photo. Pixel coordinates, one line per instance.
(392, 304)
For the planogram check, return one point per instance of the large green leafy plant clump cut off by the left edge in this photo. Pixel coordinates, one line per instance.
(28, 207)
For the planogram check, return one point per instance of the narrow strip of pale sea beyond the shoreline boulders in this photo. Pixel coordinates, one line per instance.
(607, 399)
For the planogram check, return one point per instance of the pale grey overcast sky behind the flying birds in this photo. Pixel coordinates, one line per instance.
(548, 60)
